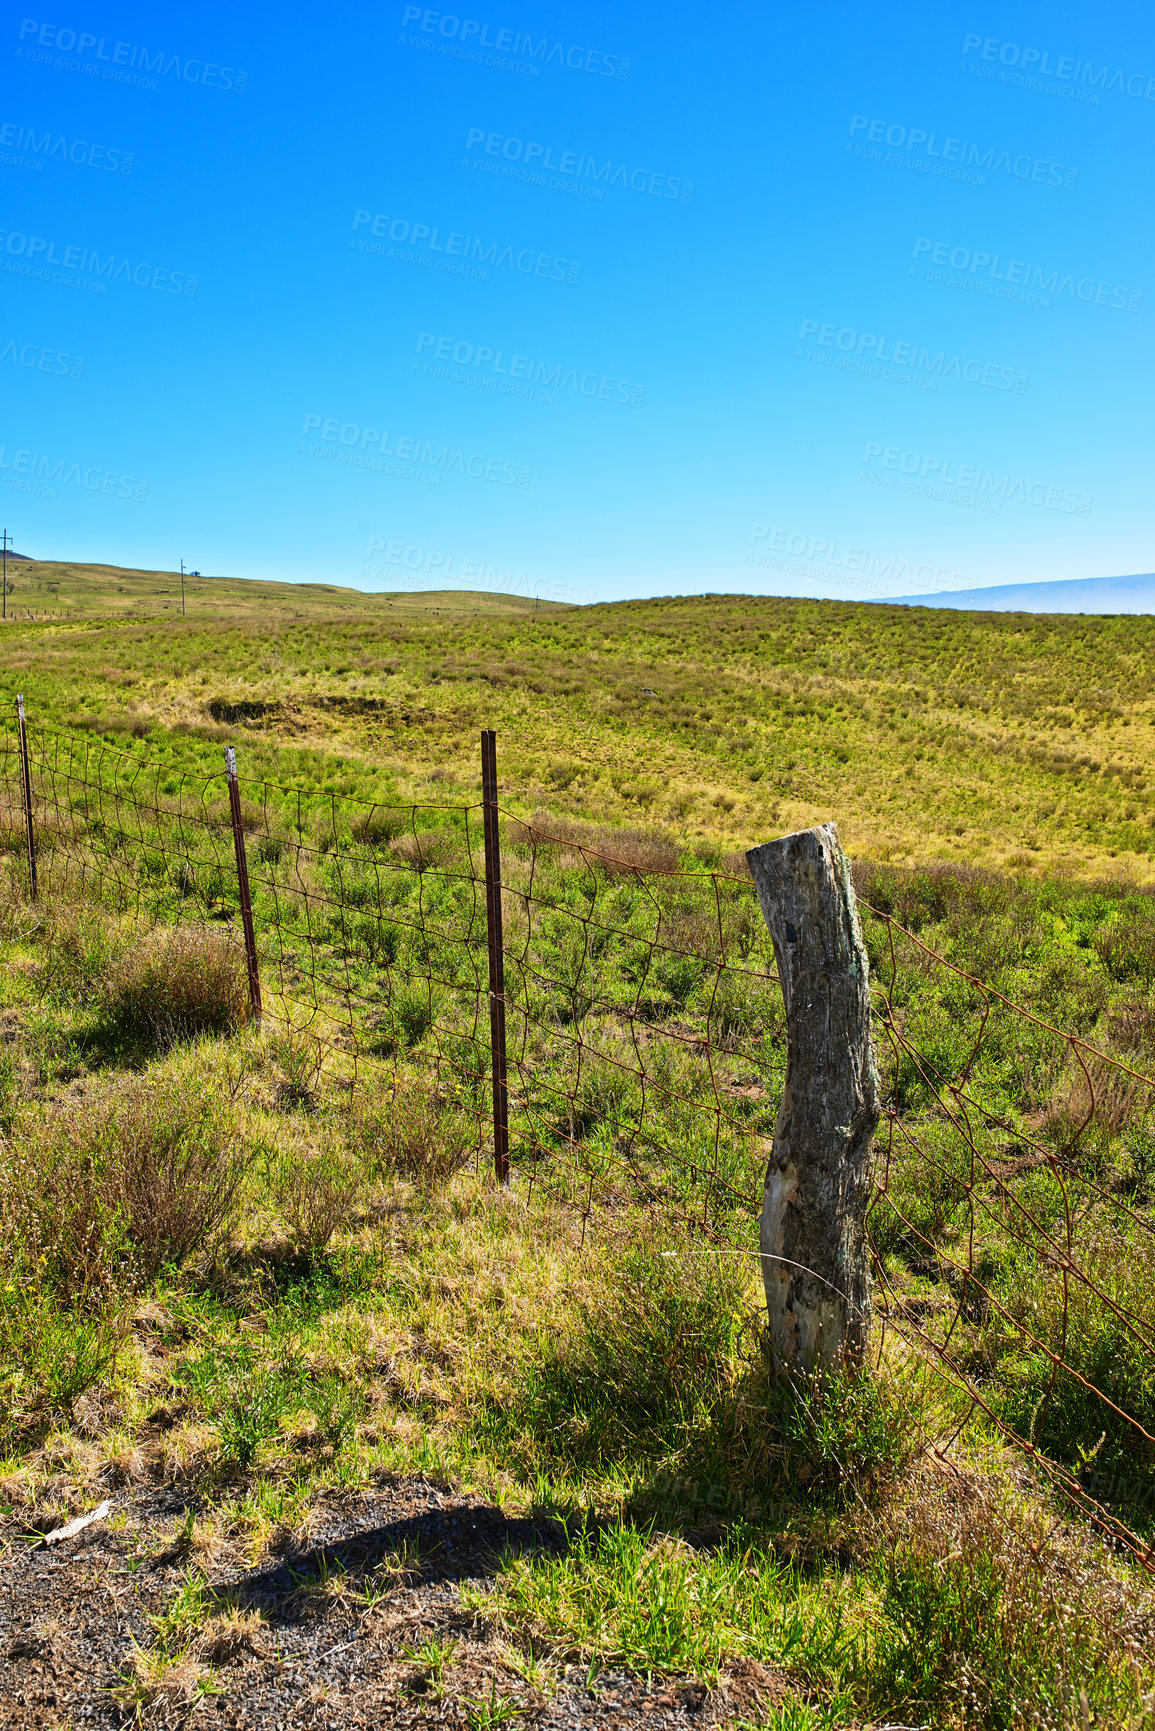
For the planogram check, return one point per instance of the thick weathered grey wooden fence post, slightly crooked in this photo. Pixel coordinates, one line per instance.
(815, 1259)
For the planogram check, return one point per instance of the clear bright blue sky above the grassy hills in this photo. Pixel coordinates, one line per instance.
(593, 300)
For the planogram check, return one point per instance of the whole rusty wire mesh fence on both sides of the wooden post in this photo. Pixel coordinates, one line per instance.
(645, 1057)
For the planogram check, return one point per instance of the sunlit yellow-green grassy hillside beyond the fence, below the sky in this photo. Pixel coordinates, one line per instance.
(1003, 740)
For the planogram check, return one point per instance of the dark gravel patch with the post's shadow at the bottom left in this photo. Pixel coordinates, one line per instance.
(318, 1656)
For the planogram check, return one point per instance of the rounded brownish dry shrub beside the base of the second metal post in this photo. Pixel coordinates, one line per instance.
(179, 982)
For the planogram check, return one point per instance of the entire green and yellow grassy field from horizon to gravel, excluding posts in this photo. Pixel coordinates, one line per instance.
(233, 1273)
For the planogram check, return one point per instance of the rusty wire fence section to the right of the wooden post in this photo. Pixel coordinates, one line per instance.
(1012, 1223)
